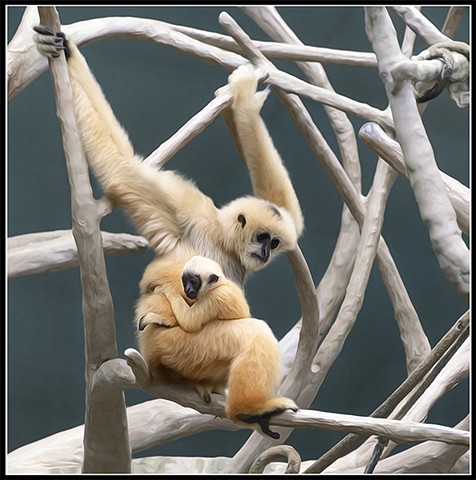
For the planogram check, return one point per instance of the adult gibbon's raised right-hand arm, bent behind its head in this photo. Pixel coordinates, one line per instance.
(269, 177)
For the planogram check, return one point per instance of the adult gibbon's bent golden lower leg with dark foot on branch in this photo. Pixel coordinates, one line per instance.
(254, 377)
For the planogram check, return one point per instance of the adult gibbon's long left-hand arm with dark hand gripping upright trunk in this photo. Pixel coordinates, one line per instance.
(160, 203)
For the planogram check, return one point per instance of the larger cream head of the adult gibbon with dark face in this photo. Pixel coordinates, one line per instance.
(257, 230)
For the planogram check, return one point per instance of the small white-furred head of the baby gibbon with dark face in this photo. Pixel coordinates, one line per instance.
(199, 275)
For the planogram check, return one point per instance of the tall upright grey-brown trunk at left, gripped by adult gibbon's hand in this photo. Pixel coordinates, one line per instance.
(106, 436)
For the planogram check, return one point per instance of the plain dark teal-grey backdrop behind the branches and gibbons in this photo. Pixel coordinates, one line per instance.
(154, 89)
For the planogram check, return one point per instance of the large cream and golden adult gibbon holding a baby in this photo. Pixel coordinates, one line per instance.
(180, 222)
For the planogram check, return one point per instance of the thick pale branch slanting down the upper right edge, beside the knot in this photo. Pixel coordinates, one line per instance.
(430, 193)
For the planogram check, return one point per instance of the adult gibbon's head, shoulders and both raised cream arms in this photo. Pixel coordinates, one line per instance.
(170, 211)
